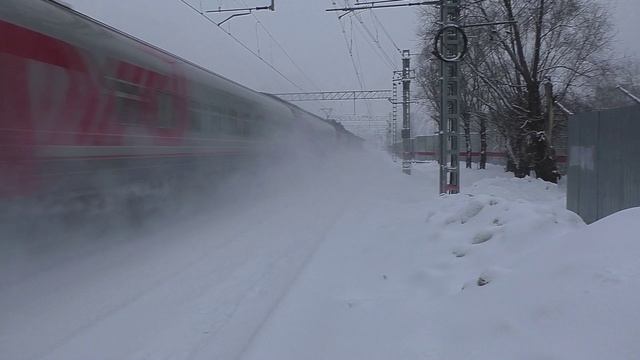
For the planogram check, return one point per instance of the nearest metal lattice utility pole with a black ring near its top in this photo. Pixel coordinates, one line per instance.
(452, 43)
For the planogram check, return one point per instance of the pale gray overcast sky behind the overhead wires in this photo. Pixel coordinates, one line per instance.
(311, 36)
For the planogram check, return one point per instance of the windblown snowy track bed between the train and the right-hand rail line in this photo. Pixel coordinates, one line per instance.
(197, 290)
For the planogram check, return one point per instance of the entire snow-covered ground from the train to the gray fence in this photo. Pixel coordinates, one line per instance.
(335, 260)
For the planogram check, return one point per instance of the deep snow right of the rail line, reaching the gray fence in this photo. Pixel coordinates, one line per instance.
(500, 272)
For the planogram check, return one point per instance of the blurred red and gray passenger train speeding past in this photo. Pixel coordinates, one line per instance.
(81, 103)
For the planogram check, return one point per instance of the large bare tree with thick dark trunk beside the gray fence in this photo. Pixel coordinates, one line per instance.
(558, 40)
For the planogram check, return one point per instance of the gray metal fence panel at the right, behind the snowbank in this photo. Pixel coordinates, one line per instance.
(604, 162)
